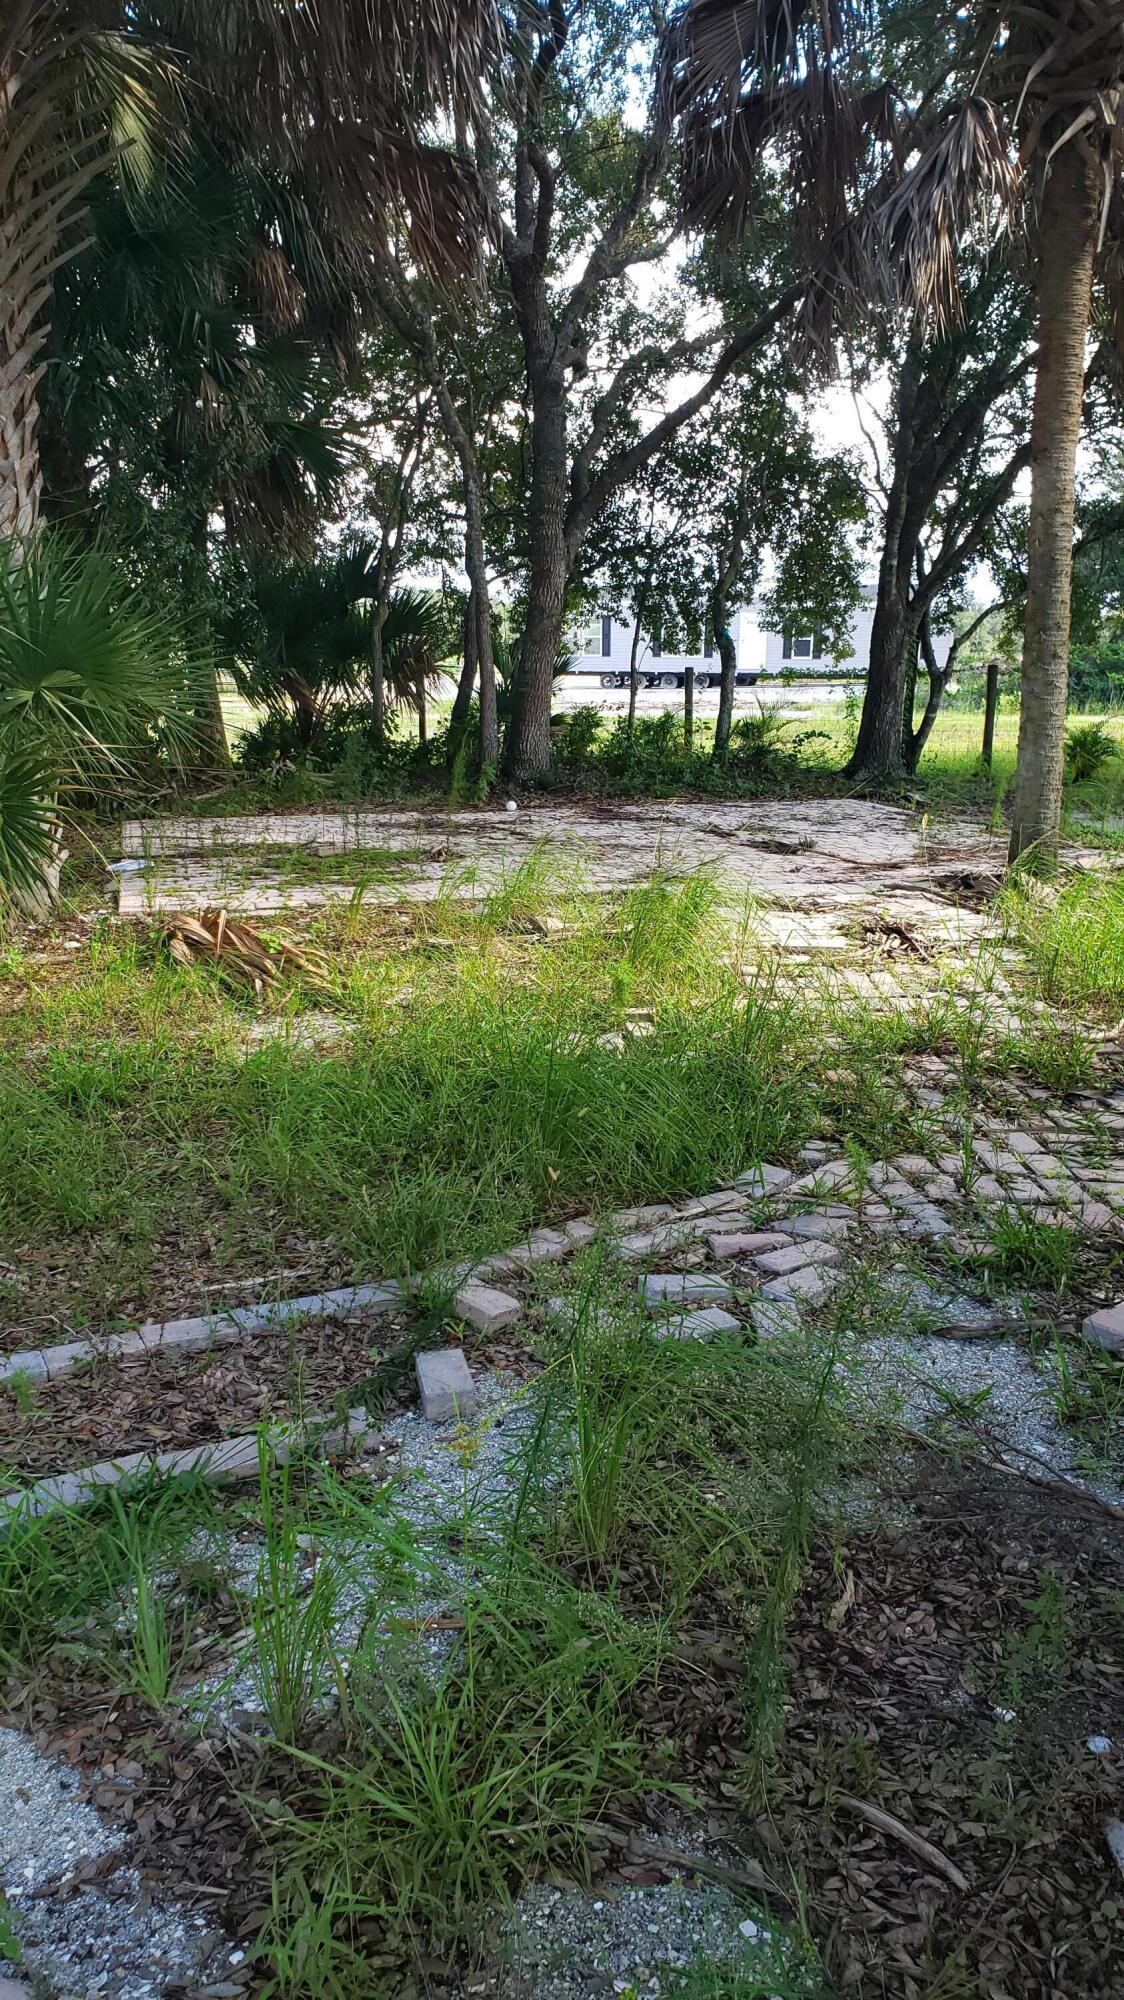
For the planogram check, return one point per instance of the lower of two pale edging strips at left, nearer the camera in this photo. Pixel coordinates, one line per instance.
(229, 1459)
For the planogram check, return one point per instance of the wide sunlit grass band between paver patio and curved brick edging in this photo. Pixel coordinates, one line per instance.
(475, 1093)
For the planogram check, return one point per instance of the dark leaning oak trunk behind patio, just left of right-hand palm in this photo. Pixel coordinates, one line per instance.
(893, 635)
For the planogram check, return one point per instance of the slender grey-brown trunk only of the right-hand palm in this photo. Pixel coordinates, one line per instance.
(1067, 243)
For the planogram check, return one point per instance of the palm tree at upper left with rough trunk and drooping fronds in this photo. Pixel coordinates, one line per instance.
(333, 97)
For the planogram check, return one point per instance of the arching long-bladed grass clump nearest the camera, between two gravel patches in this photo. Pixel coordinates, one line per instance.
(461, 1777)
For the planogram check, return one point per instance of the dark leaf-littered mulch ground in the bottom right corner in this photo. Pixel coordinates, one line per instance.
(1003, 1597)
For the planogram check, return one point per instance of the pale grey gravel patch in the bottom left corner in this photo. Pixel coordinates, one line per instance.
(109, 1943)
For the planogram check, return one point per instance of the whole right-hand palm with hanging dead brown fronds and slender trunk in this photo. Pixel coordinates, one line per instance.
(1021, 109)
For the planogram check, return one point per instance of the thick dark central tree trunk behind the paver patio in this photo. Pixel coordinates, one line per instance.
(527, 751)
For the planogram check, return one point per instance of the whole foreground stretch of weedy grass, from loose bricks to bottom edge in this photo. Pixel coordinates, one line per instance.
(689, 1481)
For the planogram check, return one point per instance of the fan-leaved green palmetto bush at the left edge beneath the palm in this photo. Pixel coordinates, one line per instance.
(91, 685)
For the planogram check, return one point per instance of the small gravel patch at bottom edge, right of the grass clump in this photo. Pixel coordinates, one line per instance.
(575, 1945)
